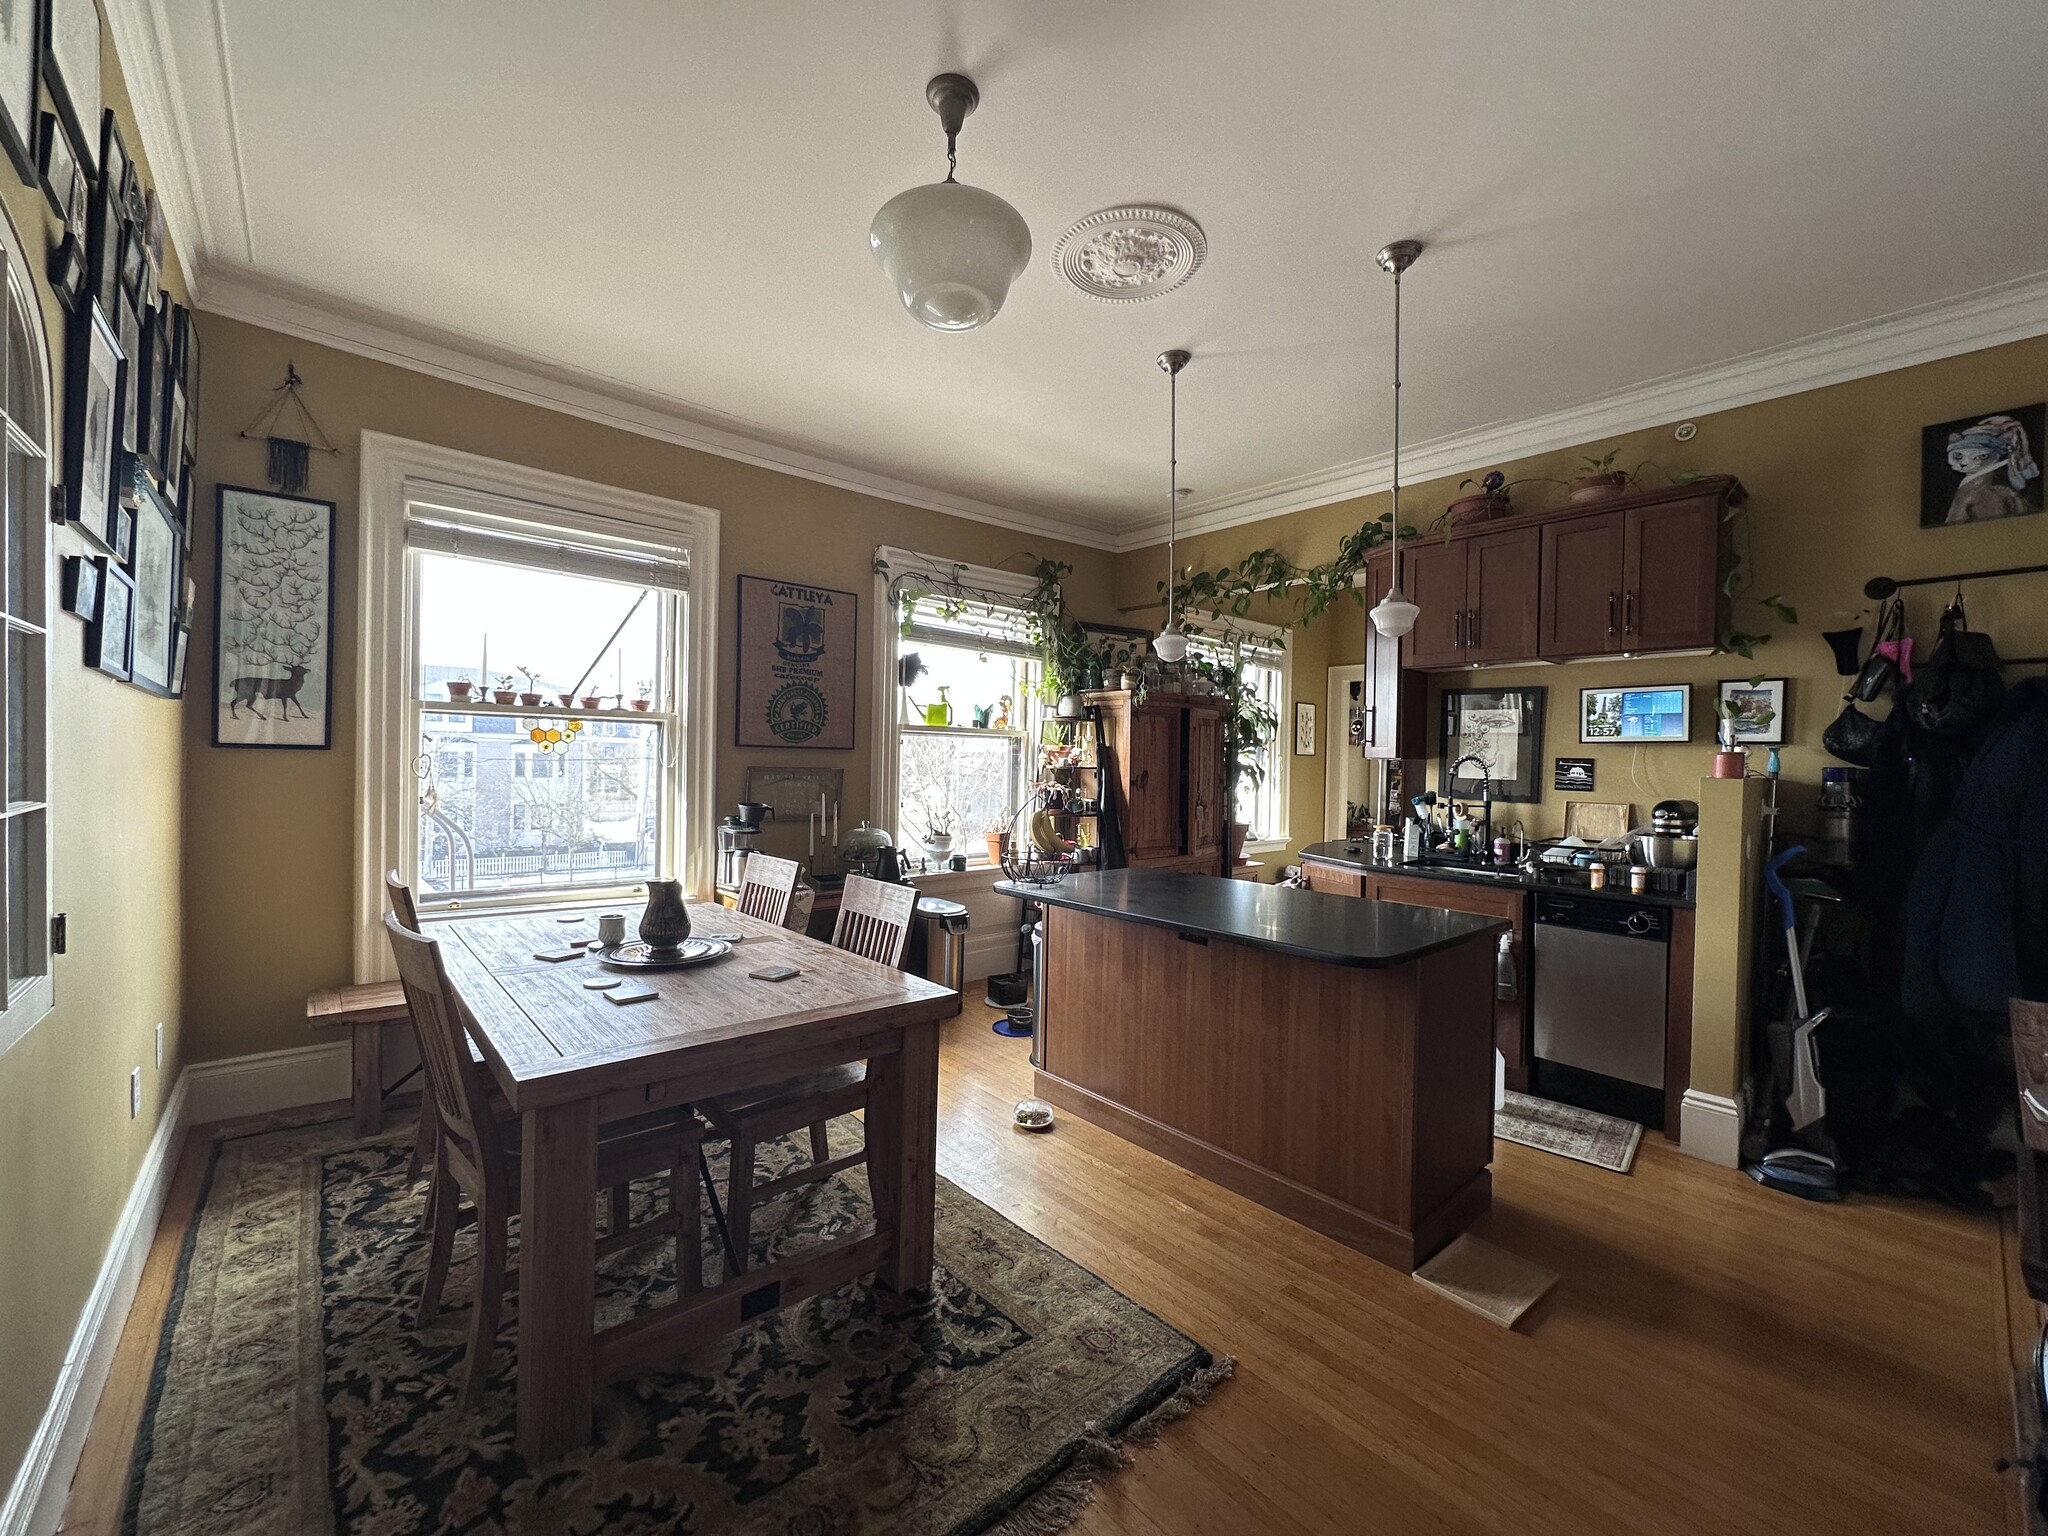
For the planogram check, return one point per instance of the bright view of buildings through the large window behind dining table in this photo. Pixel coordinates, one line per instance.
(552, 796)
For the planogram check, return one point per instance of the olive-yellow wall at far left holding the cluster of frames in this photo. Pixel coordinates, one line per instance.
(69, 1148)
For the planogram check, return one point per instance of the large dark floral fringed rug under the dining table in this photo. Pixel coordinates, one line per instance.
(294, 1396)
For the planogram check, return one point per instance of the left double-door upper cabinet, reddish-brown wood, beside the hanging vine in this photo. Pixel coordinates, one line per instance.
(1478, 597)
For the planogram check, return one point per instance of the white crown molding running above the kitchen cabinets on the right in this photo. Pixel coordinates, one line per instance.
(2008, 312)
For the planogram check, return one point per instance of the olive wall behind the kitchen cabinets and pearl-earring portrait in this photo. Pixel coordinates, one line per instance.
(1834, 501)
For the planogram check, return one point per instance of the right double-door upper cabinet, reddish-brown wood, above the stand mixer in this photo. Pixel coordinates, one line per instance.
(1637, 574)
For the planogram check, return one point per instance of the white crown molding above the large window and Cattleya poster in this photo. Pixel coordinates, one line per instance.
(458, 359)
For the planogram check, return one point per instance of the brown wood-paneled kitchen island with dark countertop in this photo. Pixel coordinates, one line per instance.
(1322, 1056)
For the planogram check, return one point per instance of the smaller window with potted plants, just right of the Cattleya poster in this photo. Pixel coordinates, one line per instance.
(964, 703)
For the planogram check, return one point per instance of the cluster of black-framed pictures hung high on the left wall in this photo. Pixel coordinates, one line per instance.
(130, 353)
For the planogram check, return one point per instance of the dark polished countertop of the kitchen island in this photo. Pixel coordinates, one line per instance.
(1312, 925)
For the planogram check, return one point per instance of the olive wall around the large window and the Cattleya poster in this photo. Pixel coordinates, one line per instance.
(269, 835)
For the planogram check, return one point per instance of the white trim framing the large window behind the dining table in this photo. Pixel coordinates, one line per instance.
(398, 470)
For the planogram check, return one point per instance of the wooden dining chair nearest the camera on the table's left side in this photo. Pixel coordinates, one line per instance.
(478, 1156)
